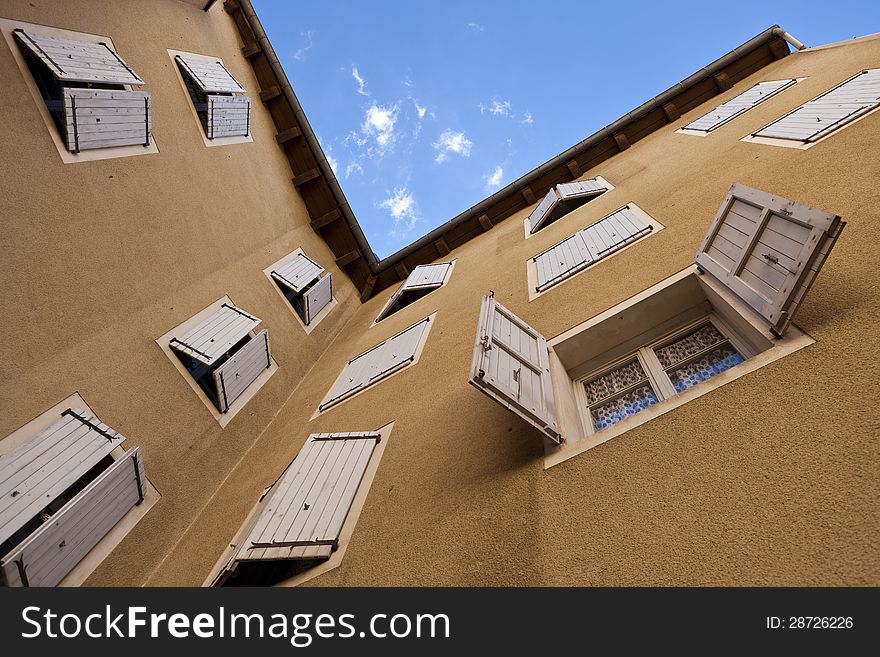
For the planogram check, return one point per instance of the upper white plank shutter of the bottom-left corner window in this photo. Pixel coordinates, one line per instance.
(37, 472)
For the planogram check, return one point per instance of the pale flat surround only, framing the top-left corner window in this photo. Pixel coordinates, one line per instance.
(58, 139)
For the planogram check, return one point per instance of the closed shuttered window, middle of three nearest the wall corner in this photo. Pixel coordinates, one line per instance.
(378, 363)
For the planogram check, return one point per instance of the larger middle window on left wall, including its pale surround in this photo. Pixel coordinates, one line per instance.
(225, 361)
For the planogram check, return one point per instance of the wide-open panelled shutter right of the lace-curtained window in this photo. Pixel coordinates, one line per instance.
(767, 250)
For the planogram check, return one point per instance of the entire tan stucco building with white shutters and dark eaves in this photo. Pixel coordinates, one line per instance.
(193, 280)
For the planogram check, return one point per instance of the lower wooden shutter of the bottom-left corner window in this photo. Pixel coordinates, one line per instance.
(46, 556)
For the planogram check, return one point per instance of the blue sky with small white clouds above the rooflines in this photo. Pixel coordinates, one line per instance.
(424, 109)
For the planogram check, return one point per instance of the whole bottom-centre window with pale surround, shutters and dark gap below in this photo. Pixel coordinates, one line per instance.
(302, 524)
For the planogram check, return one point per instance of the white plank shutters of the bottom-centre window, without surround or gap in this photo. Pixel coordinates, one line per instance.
(303, 514)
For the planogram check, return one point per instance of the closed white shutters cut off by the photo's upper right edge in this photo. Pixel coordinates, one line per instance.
(828, 112)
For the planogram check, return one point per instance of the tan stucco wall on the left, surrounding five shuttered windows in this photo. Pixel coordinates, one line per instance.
(101, 258)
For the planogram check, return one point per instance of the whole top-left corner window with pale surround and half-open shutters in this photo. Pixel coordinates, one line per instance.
(84, 90)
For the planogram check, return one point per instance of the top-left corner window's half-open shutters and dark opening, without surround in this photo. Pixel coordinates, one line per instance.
(85, 87)
